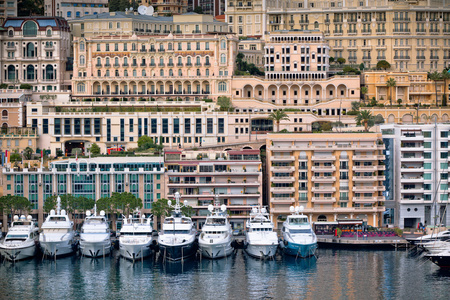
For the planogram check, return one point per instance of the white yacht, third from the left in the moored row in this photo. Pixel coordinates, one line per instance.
(95, 236)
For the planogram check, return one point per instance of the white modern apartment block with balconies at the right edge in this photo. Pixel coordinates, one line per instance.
(420, 173)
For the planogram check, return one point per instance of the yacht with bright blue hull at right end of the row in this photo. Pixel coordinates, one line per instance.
(299, 238)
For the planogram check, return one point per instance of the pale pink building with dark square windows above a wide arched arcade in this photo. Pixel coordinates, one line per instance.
(297, 75)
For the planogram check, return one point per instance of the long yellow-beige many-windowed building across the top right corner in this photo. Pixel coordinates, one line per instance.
(411, 35)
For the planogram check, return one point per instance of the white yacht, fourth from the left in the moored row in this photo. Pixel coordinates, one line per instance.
(135, 238)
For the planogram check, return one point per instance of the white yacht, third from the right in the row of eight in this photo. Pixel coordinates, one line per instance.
(216, 237)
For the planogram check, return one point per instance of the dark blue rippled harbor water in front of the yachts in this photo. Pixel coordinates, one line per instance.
(336, 274)
